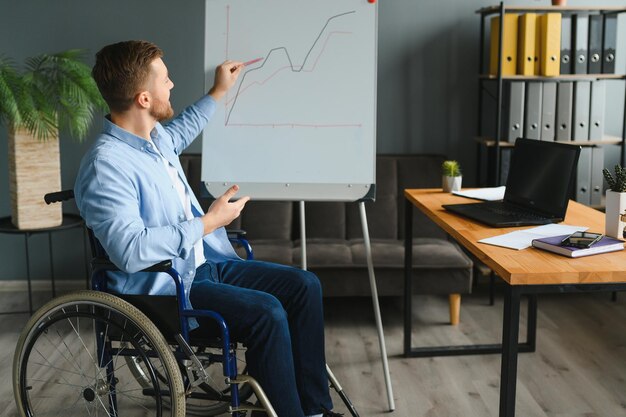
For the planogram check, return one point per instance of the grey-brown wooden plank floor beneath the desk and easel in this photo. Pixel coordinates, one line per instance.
(579, 368)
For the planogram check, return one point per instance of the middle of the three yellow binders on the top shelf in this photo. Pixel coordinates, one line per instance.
(529, 45)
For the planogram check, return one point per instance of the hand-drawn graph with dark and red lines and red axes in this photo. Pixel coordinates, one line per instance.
(245, 87)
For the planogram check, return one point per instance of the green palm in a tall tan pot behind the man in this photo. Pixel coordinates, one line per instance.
(54, 92)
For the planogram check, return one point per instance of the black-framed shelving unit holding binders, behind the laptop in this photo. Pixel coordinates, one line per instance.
(491, 87)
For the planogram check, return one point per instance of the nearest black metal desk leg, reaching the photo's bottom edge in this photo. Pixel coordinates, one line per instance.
(510, 334)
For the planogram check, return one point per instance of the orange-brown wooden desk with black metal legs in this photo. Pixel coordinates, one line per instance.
(527, 272)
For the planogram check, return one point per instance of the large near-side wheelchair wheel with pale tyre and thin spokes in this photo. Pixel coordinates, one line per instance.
(69, 361)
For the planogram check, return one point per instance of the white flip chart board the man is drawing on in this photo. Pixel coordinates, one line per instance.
(300, 123)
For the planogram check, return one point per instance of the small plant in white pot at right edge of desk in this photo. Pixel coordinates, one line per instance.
(615, 201)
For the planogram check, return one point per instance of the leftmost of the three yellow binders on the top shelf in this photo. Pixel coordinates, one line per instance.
(509, 45)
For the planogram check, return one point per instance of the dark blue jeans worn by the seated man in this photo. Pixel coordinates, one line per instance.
(276, 311)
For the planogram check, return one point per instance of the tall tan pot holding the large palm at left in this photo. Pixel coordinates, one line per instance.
(34, 170)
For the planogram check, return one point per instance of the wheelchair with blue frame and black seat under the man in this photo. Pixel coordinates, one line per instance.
(91, 352)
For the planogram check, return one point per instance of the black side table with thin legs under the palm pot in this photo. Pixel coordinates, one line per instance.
(70, 221)
